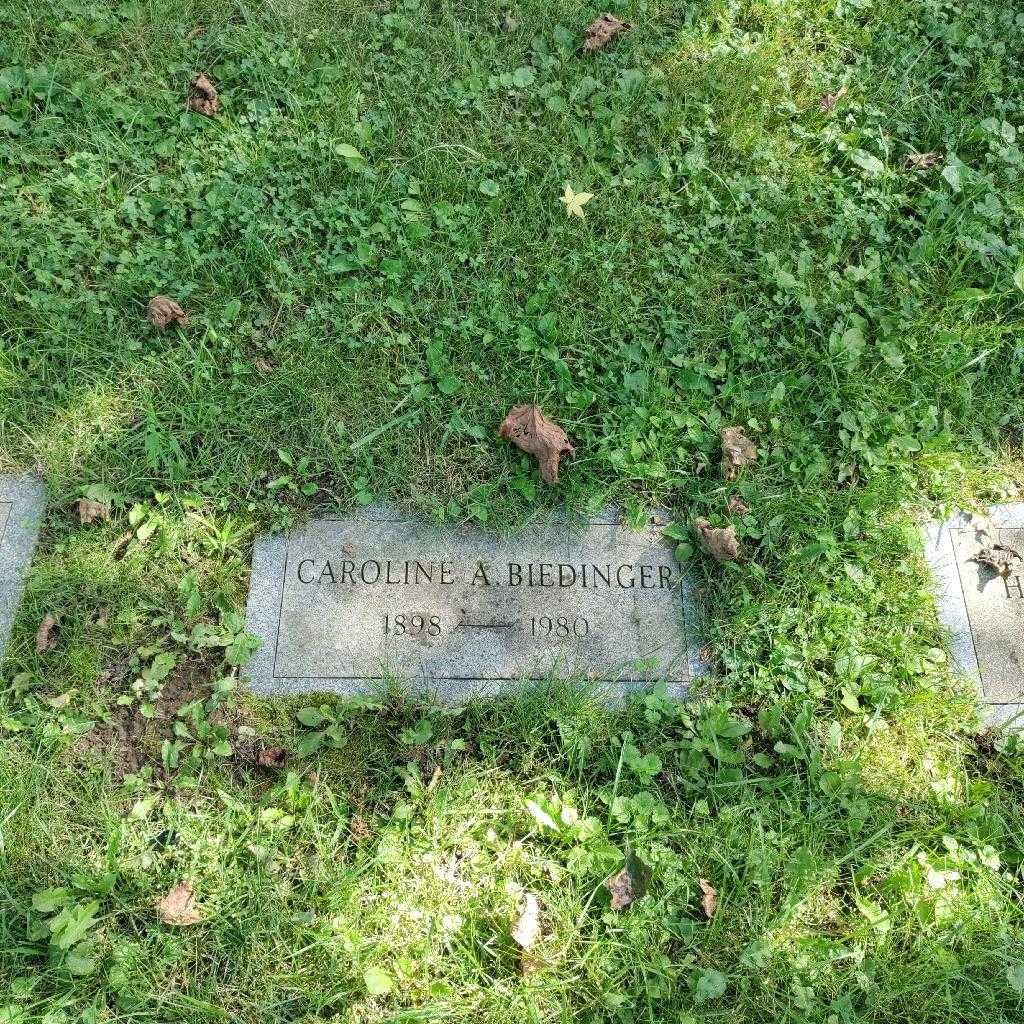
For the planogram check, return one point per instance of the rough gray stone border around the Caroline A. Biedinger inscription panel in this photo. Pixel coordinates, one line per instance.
(264, 606)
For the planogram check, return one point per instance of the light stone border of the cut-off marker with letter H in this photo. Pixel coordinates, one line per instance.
(952, 608)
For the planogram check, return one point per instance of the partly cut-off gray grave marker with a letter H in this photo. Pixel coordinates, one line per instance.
(984, 611)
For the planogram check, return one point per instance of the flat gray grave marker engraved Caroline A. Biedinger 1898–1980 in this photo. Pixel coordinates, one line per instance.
(346, 604)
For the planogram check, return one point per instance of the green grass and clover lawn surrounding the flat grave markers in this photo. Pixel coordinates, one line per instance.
(370, 241)
